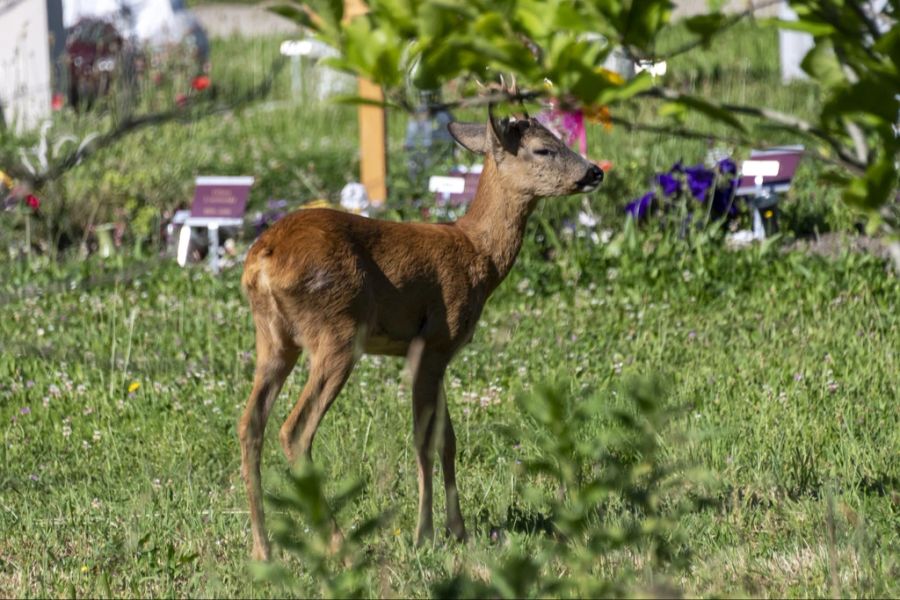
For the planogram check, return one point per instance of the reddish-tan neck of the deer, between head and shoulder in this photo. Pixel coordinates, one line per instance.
(495, 222)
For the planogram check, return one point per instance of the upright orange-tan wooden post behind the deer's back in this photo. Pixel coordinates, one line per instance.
(372, 129)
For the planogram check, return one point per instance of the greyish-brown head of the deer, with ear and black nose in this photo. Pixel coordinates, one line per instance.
(530, 160)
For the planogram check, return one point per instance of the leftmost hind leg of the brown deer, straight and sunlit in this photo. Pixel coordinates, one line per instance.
(275, 358)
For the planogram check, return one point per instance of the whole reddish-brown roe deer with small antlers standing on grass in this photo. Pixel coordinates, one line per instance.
(338, 285)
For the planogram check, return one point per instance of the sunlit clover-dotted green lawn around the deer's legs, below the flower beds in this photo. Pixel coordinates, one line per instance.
(787, 364)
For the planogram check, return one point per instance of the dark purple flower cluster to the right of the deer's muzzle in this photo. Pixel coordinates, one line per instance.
(703, 184)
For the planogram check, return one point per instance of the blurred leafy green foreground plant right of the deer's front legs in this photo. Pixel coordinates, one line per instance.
(611, 496)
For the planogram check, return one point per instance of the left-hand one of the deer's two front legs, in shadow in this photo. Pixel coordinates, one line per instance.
(428, 374)
